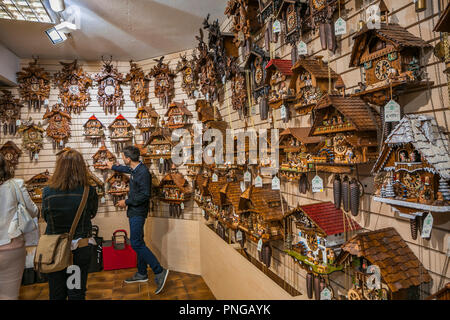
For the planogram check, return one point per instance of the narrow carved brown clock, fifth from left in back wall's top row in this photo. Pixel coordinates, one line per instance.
(164, 82)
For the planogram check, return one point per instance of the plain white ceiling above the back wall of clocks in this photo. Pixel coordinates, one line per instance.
(125, 29)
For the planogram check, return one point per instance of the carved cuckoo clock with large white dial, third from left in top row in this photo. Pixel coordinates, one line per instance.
(110, 94)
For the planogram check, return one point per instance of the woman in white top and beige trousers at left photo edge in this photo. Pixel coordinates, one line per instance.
(12, 251)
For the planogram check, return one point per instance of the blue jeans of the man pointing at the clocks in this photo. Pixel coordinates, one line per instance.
(145, 256)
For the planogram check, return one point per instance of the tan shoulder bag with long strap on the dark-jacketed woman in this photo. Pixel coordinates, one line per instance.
(53, 252)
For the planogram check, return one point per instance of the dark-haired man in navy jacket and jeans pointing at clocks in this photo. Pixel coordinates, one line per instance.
(137, 211)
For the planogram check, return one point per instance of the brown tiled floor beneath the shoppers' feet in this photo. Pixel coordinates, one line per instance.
(109, 285)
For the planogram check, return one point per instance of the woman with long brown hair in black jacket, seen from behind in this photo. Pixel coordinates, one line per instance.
(60, 202)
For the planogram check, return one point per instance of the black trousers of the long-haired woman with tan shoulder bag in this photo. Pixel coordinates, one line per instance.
(57, 281)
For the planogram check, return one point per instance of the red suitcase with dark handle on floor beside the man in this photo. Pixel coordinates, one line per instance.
(117, 255)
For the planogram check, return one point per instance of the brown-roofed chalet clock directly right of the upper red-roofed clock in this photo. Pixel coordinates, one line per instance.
(311, 80)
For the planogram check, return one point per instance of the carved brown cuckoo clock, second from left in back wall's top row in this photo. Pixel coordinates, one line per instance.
(73, 84)
